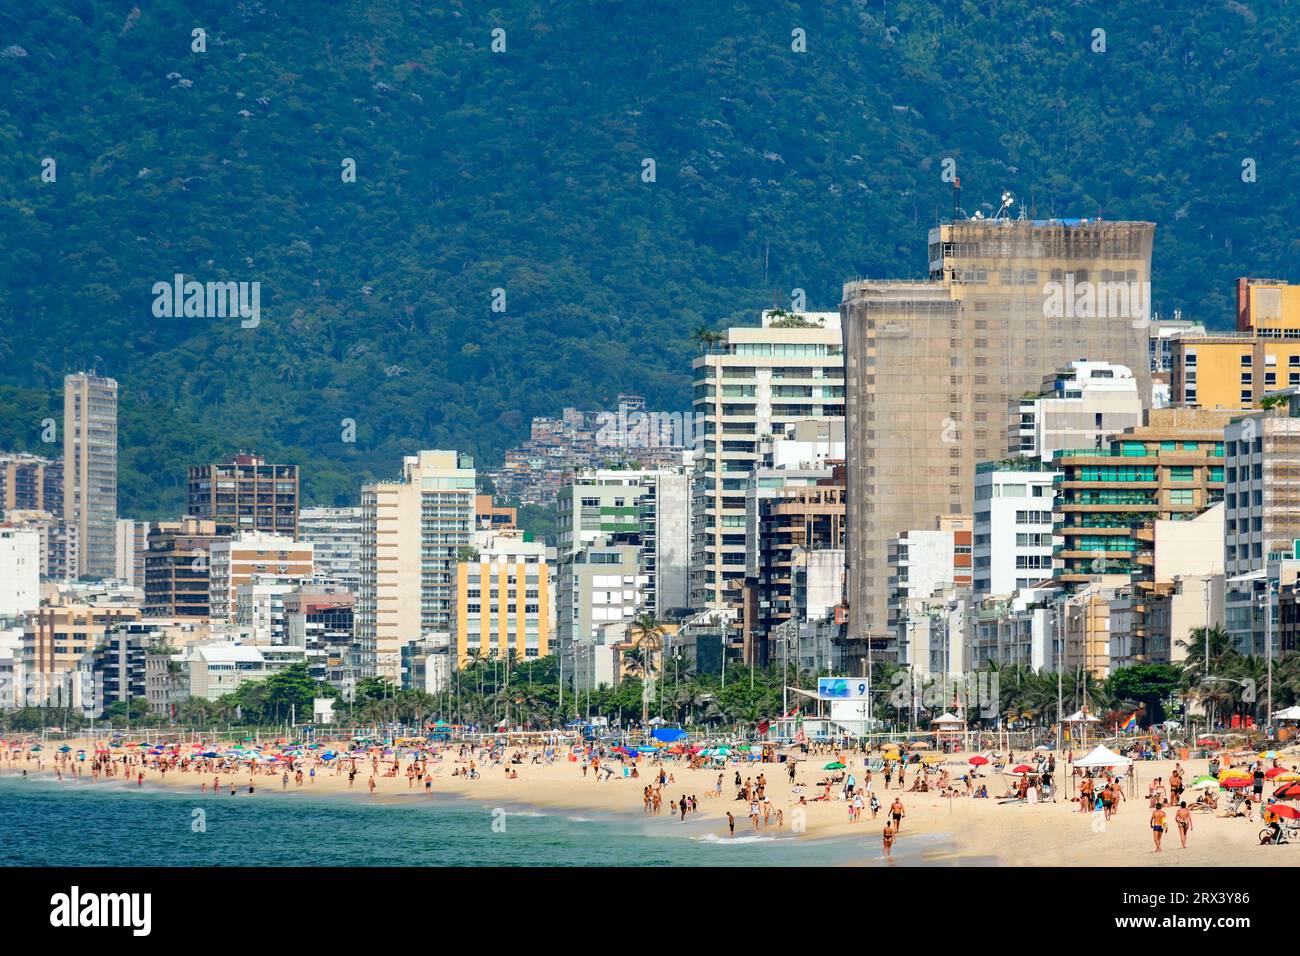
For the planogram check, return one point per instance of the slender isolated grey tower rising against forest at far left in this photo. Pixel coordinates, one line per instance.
(90, 470)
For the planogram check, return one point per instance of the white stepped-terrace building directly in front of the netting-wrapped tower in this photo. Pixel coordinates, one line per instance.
(1078, 408)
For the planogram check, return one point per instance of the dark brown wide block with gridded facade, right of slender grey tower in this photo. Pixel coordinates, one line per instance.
(246, 494)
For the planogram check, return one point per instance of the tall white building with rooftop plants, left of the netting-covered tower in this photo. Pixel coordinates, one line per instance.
(748, 388)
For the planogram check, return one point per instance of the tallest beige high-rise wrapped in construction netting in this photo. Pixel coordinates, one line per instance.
(933, 369)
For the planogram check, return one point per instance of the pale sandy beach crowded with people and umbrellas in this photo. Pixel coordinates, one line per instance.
(959, 829)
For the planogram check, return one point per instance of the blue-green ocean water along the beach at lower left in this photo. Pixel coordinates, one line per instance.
(50, 824)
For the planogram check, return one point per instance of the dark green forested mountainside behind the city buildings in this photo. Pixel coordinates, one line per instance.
(523, 171)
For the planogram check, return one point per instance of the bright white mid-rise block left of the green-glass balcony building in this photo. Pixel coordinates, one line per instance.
(1012, 542)
